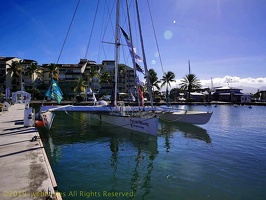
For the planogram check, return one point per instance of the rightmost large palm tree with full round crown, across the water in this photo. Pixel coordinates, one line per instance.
(190, 82)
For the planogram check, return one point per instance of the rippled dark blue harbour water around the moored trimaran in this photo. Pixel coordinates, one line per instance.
(224, 159)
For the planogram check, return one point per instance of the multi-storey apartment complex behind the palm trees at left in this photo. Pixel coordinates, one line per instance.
(68, 74)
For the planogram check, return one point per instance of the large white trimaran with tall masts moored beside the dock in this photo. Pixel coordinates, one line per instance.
(135, 118)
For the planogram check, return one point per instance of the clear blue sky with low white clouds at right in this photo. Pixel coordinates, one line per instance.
(223, 39)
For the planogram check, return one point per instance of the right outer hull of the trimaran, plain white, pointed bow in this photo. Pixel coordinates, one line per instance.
(191, 117)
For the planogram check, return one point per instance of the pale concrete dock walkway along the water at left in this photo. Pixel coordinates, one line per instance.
(25, 171)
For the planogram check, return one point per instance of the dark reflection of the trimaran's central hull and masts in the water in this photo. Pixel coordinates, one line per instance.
(146, 150)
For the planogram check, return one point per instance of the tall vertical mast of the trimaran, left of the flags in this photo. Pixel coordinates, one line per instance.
(117, 44)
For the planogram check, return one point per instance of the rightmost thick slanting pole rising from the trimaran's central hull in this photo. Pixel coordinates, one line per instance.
(147, 74)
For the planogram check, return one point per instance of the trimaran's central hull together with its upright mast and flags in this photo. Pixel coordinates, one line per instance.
(141, 121)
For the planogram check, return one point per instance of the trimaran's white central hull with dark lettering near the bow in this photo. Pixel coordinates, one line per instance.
(143, 125)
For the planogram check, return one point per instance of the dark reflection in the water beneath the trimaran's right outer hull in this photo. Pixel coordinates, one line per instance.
(188, 130)
